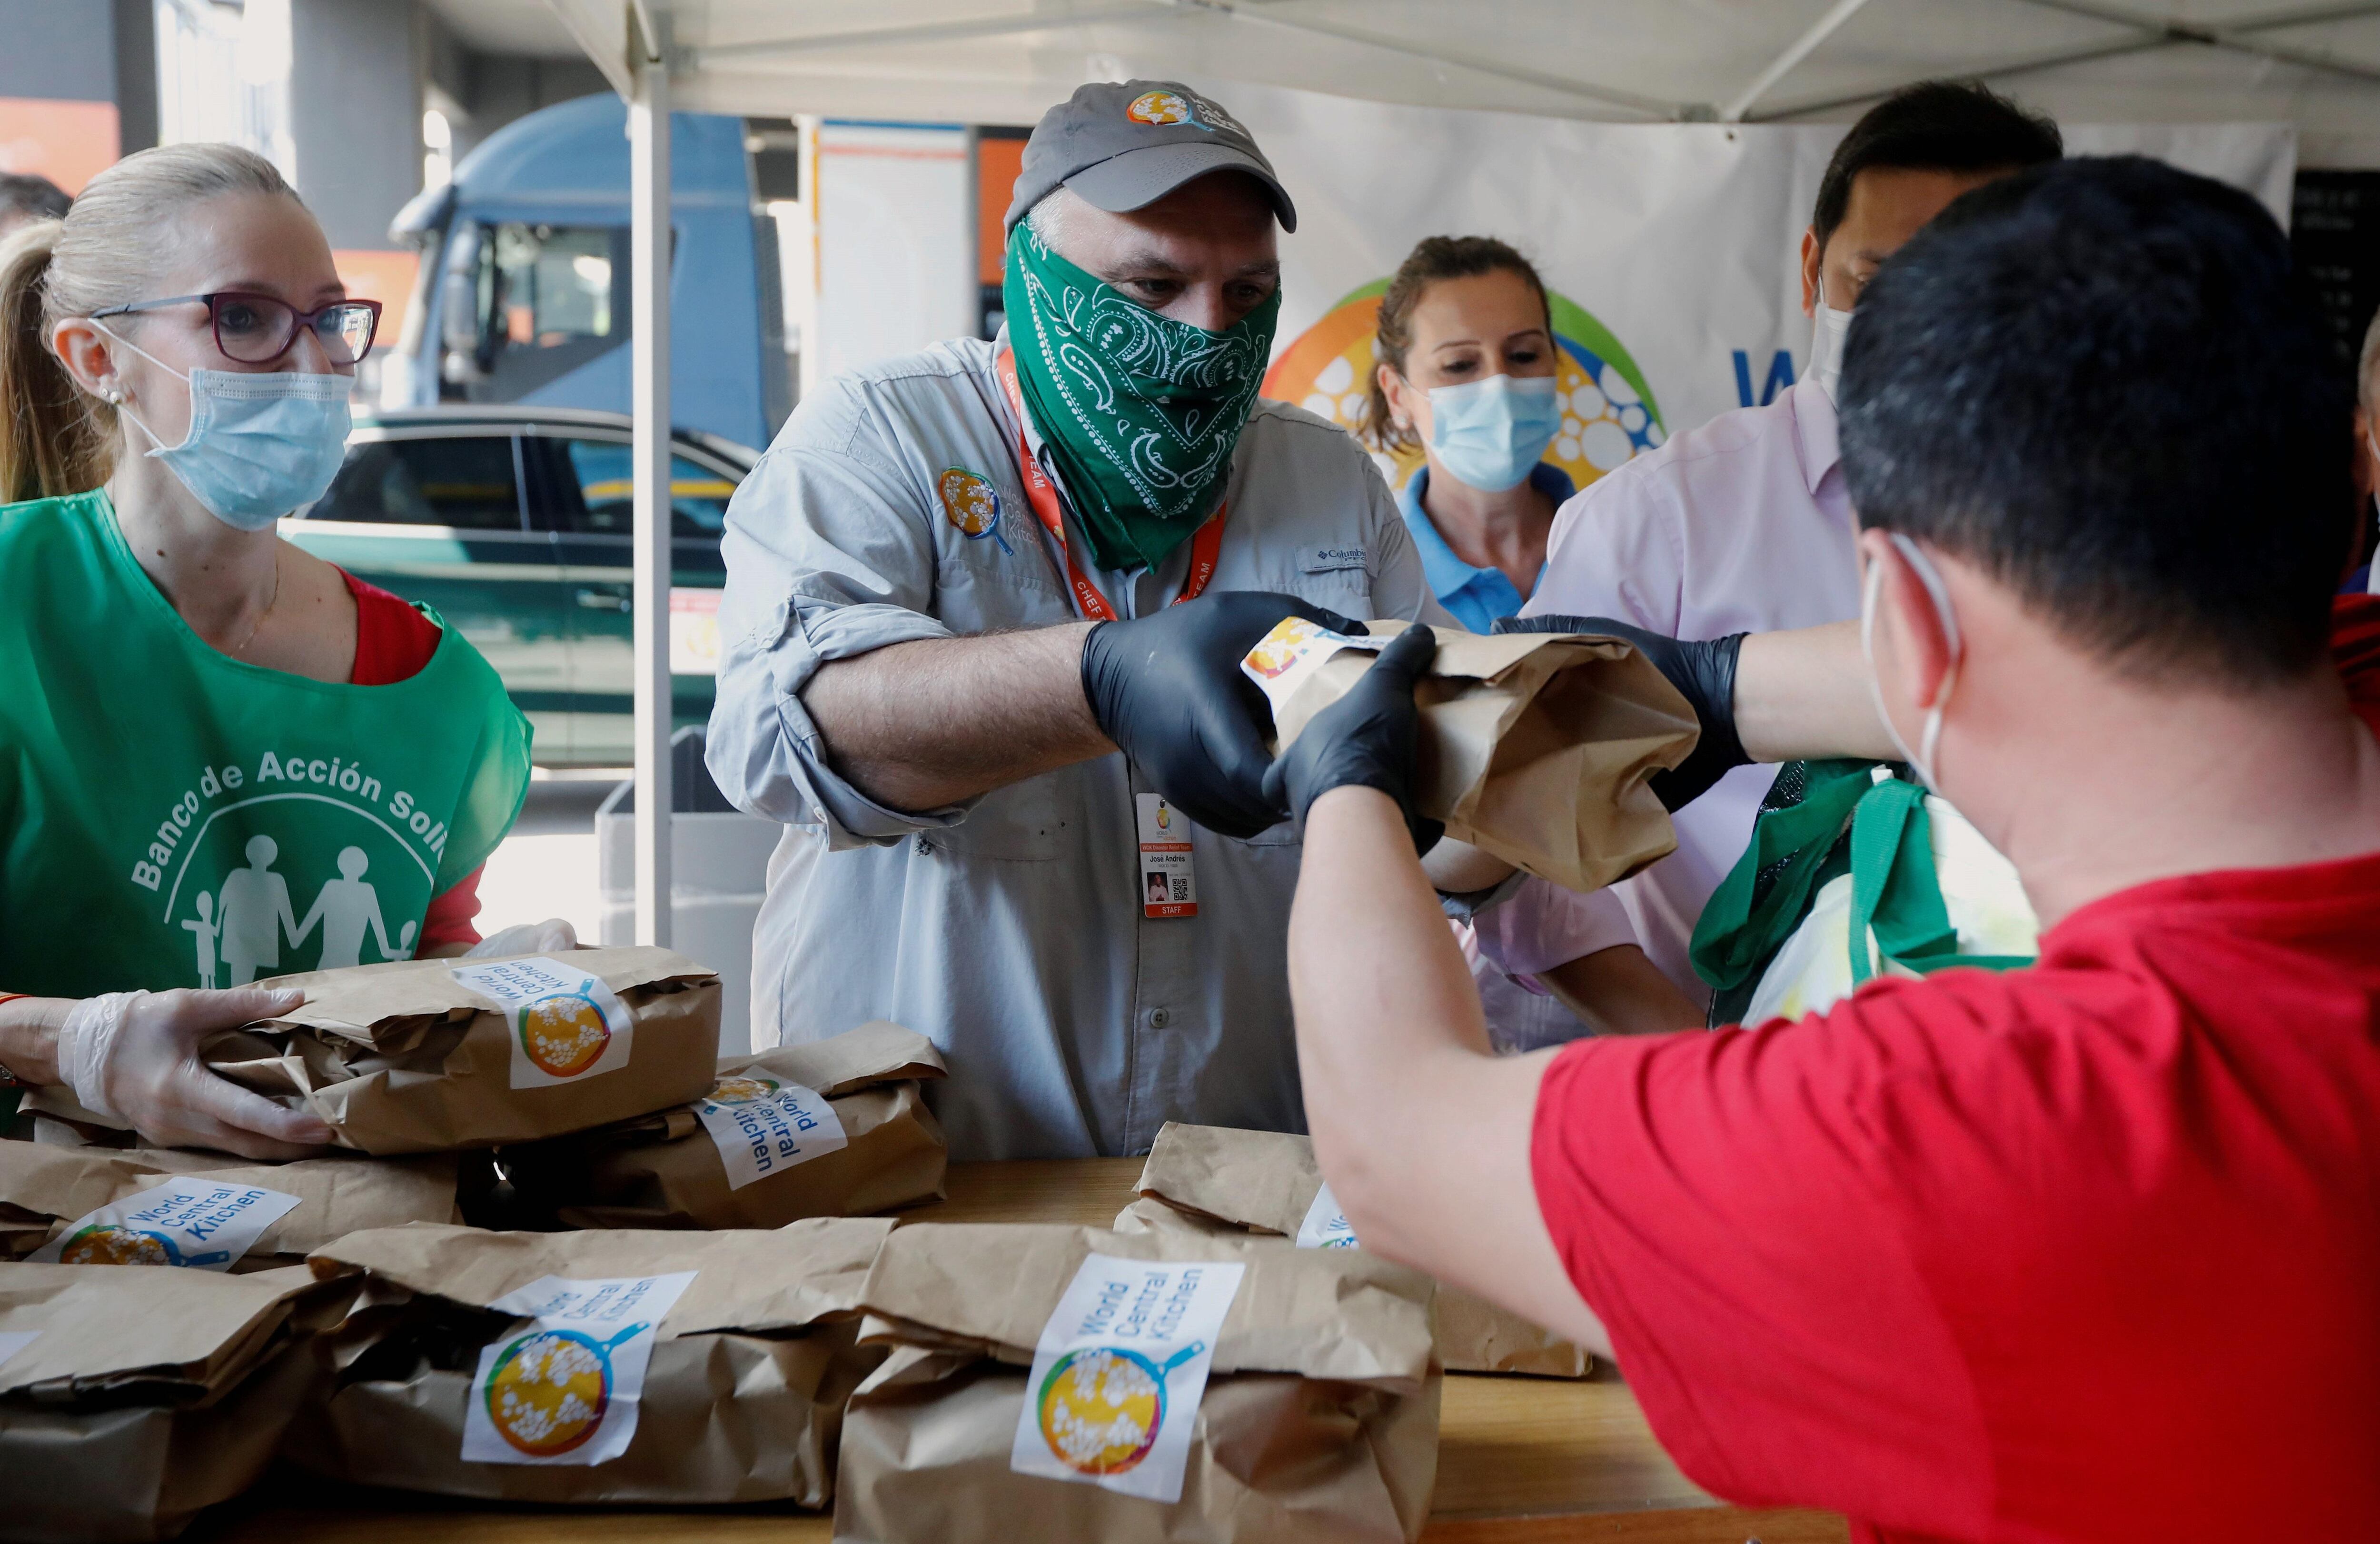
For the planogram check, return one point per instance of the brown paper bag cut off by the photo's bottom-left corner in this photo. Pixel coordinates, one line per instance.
(137, 1398)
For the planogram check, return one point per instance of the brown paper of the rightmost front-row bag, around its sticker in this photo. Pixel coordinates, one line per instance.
(1317, 1421)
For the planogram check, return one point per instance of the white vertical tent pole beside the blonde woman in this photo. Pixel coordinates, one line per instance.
(649, 396)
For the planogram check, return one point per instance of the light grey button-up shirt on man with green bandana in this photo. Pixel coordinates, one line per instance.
(1010, 929)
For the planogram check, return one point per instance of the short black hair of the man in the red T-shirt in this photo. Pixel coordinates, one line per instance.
(2105, 384)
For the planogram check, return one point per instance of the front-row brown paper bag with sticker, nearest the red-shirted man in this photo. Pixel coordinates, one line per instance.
(1070, 1383)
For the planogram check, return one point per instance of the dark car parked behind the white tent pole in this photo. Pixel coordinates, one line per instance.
(513, 525)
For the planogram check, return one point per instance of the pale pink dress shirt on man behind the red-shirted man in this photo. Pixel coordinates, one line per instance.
(1736, 527)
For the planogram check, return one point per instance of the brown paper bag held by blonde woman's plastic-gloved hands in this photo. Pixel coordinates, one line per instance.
(408, 1060)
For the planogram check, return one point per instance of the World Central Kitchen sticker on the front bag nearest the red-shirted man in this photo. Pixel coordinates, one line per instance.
(1120, 1372)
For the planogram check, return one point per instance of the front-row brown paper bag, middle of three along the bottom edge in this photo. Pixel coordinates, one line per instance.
(741, 1398)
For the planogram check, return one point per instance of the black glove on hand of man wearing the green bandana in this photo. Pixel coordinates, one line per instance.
(1172, 693)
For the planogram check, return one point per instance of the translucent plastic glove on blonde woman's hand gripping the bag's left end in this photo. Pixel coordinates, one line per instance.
(134, 1057)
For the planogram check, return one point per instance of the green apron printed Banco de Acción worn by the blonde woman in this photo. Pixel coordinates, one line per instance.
(173, 817)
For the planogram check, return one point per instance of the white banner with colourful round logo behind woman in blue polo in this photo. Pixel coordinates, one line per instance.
(1672, 249)
